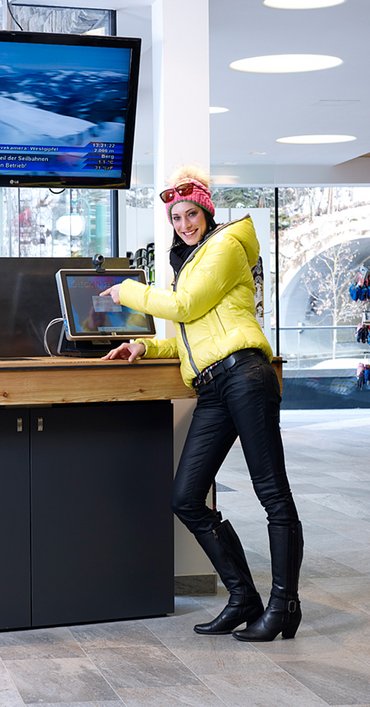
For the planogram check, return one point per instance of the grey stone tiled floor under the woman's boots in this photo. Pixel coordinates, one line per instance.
(162, 662)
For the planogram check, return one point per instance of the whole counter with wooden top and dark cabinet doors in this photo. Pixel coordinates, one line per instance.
(86, 530)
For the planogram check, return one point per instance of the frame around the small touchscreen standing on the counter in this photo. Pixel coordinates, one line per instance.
(71, 332)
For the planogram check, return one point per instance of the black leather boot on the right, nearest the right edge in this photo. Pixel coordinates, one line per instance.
(283, 613)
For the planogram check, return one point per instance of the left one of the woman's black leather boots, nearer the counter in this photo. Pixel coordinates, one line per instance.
(226, 553)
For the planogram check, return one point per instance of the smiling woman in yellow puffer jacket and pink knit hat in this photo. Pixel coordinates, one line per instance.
(225, 356)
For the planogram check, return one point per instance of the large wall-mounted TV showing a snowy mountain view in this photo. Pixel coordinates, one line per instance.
(67, 109)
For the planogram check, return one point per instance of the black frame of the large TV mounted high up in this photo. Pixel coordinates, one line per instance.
(64, 182)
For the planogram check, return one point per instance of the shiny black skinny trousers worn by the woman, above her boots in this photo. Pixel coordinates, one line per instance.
(244, 401)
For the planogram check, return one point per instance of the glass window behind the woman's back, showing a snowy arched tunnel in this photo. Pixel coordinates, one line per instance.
(324, 247)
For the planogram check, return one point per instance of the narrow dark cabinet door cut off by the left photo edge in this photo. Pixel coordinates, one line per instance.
(15, 590)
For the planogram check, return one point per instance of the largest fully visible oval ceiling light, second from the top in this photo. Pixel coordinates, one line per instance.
(286, 63)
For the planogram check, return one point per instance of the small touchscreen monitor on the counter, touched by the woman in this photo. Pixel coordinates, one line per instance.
(87, 316)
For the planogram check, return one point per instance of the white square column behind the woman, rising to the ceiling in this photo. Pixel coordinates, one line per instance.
(181, 136)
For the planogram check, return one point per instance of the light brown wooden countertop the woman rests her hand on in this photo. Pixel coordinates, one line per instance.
(47, 380)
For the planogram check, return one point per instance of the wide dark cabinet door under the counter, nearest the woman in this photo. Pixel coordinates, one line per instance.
(102, 528)
